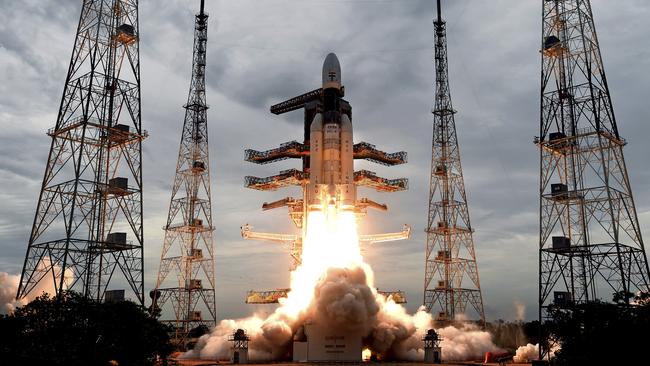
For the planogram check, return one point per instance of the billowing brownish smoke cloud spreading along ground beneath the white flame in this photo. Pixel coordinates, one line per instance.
(343, 300)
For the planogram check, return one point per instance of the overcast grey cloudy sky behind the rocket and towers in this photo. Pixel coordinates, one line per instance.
(263, 51)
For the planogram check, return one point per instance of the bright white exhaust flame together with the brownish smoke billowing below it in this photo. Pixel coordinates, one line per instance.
(335, 288)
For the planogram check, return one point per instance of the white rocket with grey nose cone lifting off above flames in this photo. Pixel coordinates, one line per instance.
(331, 161)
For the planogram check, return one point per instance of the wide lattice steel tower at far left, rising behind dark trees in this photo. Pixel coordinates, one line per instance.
(88, 222)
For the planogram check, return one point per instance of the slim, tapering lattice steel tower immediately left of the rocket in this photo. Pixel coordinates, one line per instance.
(188, 250)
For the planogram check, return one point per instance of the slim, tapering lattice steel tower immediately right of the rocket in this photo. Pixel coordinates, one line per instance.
(451, 280)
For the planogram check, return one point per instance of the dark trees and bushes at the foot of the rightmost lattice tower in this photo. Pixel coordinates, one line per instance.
(594, 333)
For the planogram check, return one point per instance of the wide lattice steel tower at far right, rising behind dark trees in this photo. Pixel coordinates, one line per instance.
(590, 244)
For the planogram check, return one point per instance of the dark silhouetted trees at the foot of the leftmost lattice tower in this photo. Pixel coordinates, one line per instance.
(73, 330)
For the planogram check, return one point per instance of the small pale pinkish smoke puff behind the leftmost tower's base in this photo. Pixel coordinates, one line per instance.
(9, 287)
